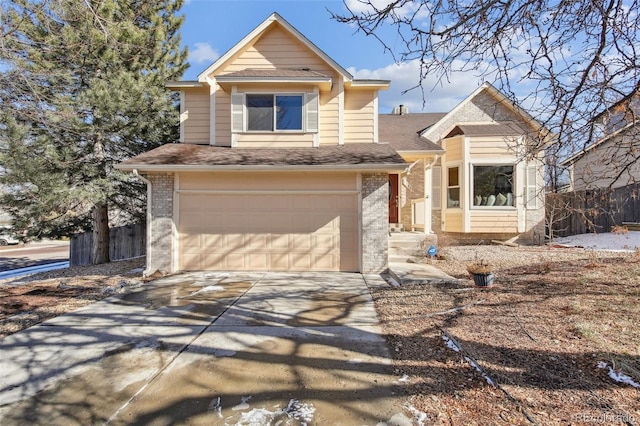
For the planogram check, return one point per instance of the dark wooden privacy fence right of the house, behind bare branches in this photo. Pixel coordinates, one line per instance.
(592, 211)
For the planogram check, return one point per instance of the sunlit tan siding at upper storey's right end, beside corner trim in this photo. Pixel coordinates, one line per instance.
(359, 116)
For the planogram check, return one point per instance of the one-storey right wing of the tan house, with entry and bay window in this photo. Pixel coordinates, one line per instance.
(474, 172)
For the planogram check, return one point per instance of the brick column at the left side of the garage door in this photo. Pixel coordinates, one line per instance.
(160, 227)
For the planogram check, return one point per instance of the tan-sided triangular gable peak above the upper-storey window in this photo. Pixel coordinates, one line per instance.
(274, 31)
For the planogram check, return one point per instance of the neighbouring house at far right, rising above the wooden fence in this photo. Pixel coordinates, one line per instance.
(612, 161)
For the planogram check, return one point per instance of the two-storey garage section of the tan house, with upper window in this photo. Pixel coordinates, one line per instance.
(278, 165)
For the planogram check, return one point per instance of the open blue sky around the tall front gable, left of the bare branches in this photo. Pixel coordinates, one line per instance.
(214, 26)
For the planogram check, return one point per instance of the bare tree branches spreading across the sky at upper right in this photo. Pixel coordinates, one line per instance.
(576, 57)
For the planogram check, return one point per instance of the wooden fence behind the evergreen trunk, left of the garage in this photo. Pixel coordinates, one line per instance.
(125, 242)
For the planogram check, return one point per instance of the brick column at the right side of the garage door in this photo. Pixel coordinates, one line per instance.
(375, 222)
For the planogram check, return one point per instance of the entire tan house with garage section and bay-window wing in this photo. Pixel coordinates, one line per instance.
(280, 166)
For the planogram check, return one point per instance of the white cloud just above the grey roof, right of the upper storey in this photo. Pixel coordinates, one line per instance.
(438, 96)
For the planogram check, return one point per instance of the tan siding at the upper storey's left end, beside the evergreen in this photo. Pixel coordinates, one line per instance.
(196, 120)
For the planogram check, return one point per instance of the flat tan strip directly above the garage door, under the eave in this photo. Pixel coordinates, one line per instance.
(264, 181)
